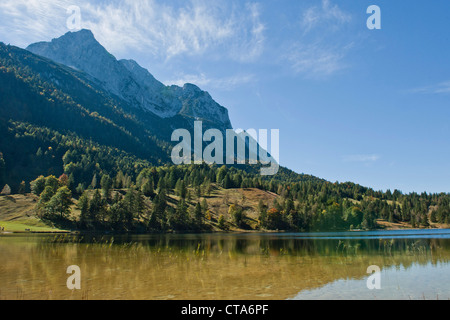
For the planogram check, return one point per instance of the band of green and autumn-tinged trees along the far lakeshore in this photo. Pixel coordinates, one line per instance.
(173, 198)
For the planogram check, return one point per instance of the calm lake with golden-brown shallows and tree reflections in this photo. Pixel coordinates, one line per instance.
(414, 265)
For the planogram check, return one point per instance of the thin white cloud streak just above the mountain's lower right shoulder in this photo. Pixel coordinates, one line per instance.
(202, 80)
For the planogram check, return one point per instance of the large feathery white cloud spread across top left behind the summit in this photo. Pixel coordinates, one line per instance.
(228, 29)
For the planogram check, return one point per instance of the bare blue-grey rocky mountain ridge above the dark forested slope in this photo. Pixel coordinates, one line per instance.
(130, 82)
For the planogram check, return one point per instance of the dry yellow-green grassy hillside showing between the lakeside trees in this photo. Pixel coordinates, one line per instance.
(18, 212)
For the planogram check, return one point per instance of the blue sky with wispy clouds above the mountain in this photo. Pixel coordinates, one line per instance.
(352, 104)
